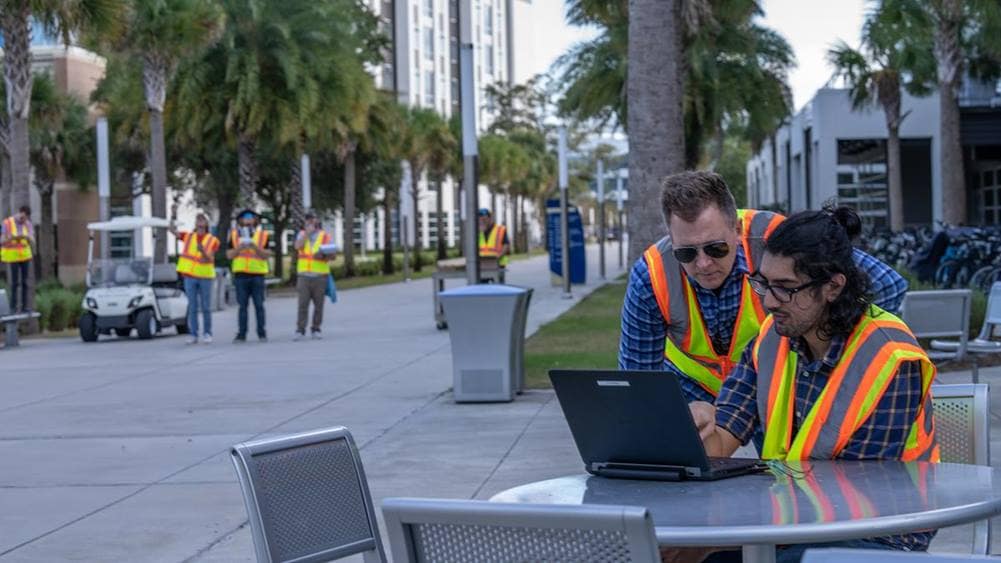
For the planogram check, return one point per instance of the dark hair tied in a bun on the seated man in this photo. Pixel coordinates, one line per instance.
(819, 244)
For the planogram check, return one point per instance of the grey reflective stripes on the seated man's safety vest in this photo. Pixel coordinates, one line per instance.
(830, 429)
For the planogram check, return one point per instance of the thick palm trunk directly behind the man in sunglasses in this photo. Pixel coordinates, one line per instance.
(655, 91)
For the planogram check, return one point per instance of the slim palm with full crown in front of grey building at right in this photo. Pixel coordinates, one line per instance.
(875, 76)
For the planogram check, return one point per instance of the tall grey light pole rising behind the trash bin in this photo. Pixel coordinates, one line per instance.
(471, 183)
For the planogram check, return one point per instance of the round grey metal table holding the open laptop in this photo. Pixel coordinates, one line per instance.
(813, 502)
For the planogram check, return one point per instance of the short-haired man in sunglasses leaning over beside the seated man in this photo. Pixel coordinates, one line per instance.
(689, 308)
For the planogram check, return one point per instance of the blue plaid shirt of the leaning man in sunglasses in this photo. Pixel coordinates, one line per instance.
(644, 331)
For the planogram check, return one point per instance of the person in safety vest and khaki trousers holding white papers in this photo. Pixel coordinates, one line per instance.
(314, 271)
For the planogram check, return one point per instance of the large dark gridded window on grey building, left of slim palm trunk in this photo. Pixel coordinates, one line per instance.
(862, 181)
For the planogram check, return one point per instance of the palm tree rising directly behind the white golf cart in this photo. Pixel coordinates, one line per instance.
(161, 34)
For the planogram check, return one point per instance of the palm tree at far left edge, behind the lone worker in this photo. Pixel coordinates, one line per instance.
(65, 18)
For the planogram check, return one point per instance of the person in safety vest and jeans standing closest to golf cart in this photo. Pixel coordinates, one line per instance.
(197, 266)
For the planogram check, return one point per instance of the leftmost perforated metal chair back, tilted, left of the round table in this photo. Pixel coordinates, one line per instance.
(307, 498)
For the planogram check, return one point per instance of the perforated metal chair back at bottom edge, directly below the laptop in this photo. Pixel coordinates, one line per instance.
(434, 531)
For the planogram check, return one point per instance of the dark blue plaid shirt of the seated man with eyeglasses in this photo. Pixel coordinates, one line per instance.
(882, 437)
